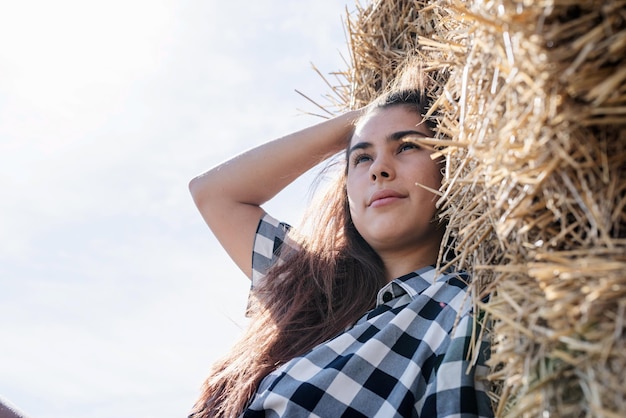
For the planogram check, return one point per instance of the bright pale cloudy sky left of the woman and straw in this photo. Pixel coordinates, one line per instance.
(115, 298)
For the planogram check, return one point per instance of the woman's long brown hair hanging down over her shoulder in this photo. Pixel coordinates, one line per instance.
(321, 290)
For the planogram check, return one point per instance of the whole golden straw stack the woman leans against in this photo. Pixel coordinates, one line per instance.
(532, 113)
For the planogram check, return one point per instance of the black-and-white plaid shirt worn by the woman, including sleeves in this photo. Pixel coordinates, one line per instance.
(405, 358)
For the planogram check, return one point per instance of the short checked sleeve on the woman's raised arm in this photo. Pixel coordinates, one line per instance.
(270, 240)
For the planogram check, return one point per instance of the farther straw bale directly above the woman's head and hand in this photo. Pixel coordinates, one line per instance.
(379, 36)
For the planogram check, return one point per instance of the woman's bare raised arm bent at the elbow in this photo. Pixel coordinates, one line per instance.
(229, 196)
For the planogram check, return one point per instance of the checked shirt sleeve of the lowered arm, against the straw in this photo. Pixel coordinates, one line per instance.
(459, 387)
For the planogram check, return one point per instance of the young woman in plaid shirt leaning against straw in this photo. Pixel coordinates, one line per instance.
(354, 319)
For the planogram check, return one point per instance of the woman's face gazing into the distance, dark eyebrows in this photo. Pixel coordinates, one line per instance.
(388, 205)
